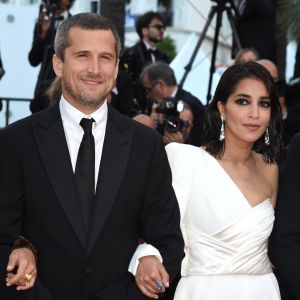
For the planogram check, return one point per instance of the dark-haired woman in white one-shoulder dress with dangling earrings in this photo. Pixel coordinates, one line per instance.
(227, 191)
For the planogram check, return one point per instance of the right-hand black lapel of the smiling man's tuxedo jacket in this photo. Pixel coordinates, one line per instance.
(115, 154)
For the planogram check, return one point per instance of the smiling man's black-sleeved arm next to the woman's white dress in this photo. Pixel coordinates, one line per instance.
(160, 219)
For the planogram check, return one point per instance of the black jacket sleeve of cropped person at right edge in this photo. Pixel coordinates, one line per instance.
(285, 239)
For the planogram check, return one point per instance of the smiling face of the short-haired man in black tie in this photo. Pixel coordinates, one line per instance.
(89, 68)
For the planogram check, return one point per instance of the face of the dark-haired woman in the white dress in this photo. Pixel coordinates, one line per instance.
(247, 111)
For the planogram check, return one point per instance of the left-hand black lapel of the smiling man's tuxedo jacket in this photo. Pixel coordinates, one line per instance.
(52, 145)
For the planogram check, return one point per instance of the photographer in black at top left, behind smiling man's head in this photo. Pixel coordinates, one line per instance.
(51, 14)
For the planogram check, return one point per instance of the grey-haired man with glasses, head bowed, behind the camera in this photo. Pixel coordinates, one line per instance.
(159, 82)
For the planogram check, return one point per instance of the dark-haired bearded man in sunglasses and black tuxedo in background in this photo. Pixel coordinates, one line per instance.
(150, 27)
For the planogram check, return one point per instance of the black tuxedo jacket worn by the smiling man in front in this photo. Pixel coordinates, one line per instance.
(134, 198)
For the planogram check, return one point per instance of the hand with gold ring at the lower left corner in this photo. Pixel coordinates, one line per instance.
(24, 260)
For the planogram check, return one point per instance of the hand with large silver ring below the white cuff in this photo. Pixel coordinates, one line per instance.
(150, 275)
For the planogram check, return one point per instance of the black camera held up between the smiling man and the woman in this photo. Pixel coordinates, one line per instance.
(170, 108)
